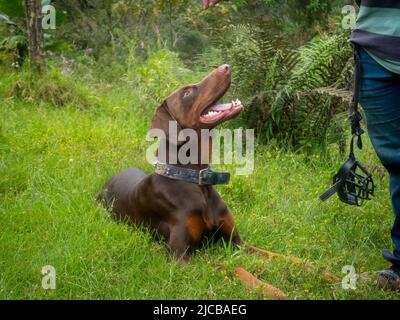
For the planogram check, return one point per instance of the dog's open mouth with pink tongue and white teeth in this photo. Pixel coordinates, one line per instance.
(221, 112)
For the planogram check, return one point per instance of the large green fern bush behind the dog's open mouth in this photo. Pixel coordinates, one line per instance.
(279, 85)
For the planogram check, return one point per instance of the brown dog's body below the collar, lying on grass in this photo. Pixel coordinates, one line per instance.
(181, 212)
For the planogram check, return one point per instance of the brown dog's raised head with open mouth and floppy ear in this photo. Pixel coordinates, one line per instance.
(196, 106)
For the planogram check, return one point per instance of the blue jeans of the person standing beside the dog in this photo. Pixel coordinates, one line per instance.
(380, 99)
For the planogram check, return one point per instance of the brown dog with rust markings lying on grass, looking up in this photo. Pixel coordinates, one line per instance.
(182, 212)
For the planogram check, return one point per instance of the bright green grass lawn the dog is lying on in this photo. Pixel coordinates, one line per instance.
(55, 159)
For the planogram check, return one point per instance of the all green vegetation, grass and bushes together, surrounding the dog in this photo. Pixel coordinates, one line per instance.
(65, 132)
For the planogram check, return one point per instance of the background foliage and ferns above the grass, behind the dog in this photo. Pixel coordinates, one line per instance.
(291, 60)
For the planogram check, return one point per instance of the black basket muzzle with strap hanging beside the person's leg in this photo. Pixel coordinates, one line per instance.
(353, 182)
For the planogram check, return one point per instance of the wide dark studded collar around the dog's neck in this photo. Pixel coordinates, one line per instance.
(204, 177)
